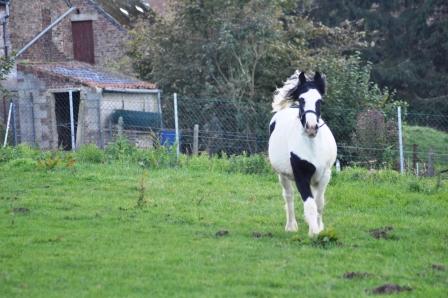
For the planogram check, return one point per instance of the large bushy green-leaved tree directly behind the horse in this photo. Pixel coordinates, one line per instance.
(243, 49)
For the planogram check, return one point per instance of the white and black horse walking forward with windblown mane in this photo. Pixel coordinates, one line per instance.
(302, 148)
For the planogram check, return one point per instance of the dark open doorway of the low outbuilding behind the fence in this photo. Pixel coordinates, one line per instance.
(62, 110)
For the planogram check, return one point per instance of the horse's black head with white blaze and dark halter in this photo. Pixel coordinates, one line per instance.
(309, 93)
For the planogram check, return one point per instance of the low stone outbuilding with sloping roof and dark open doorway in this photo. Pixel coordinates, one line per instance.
(69, 104)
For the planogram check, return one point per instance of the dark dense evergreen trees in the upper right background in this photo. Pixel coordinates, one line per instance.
(408, 45)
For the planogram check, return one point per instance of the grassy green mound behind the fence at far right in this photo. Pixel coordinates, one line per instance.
(427, 139)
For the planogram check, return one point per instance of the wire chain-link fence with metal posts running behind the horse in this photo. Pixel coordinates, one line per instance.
(368, 138)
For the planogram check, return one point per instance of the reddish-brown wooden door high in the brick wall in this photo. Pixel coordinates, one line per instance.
(83, 44)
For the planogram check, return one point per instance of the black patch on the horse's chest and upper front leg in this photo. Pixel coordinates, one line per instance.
(303, 171)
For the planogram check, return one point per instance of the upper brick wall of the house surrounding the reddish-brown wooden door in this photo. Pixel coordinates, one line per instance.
(28, 18)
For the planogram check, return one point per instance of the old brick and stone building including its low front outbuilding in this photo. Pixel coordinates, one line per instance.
(65, 92)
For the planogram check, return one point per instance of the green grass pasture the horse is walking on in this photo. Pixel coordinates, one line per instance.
(83, 231)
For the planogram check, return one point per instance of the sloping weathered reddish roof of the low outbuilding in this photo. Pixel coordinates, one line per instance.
(86, 74)
